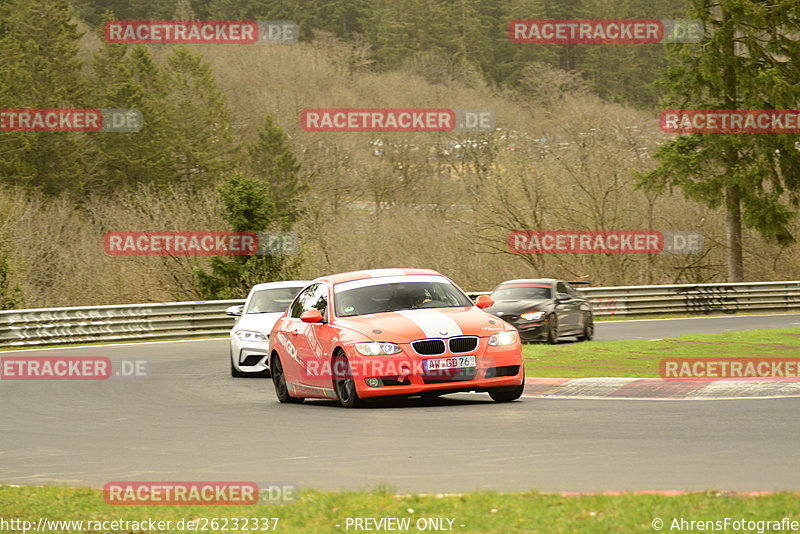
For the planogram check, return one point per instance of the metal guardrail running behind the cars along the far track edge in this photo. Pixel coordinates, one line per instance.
(50, 326)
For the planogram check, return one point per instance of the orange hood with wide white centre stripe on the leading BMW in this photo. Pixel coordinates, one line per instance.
(408, 325)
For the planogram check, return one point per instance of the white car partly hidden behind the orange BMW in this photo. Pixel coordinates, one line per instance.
(250, 335)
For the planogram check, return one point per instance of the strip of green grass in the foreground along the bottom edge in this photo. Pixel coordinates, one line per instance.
(481, 512)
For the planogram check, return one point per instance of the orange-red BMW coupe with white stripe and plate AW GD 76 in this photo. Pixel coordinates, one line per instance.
(392, 332)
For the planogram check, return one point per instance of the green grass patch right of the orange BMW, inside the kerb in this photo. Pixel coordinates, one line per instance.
(640, 358)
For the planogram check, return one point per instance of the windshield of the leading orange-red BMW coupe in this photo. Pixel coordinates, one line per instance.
(358, 299)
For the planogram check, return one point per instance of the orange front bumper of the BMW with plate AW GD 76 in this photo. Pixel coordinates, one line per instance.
(404, 374)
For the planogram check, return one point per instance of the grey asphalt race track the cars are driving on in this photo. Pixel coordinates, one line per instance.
(189, 420)
